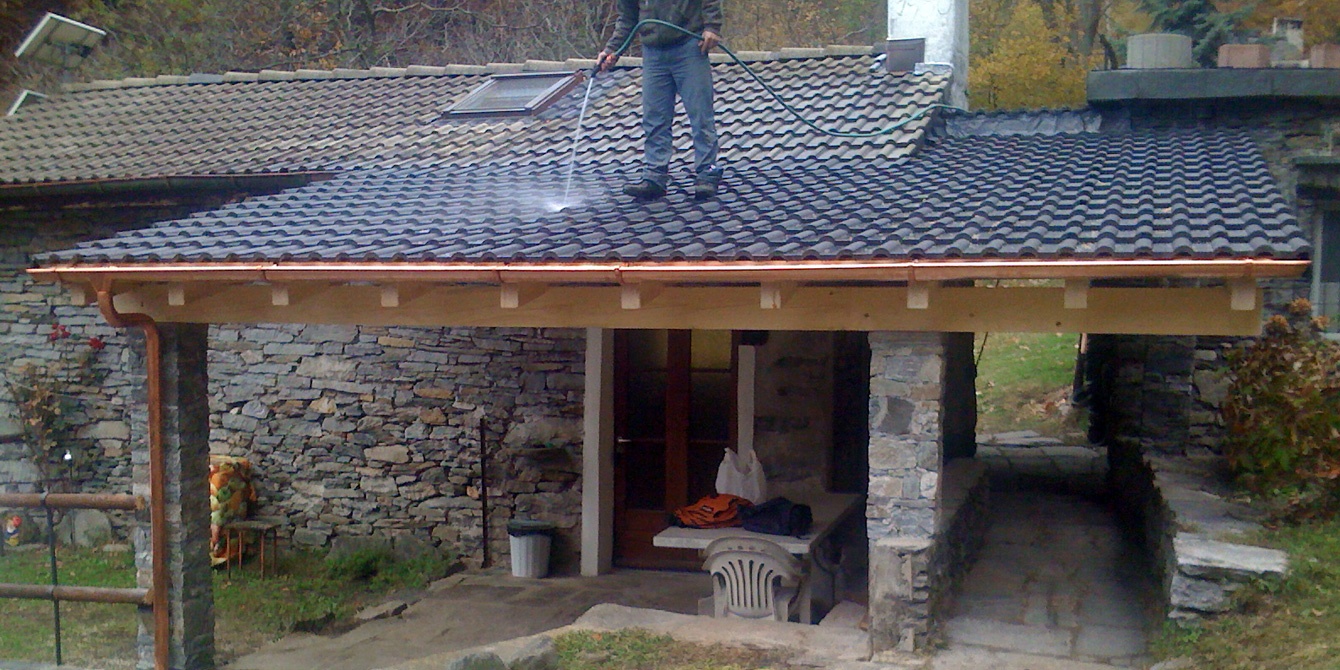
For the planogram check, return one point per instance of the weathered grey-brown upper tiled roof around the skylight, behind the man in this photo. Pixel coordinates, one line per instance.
(391, 120)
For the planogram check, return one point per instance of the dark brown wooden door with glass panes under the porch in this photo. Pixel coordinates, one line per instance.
(675, 417)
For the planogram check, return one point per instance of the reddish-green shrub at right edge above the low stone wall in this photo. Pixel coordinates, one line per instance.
(1283, 412)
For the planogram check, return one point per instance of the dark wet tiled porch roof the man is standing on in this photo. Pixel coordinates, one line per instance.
(1149, 195)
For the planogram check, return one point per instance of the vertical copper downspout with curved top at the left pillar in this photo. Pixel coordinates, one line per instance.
(157, 468)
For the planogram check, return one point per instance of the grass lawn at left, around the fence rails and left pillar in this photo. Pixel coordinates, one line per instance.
(249, 610)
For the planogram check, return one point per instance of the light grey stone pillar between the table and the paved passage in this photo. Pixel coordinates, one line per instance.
(907, 409)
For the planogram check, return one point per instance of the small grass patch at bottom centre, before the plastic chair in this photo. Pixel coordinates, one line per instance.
(643, 651)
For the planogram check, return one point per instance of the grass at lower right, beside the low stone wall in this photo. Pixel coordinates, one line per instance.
(1291, 626)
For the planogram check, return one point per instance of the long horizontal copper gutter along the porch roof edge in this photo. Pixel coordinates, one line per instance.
(688, 273)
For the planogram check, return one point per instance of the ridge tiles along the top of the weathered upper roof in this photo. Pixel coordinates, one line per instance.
(376, 73)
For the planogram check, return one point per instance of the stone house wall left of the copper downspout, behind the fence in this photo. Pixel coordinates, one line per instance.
(100, 417)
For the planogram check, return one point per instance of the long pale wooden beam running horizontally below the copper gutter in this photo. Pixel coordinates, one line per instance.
(1138, 312)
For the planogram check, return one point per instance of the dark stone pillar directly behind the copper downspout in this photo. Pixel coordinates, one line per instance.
(187, 454)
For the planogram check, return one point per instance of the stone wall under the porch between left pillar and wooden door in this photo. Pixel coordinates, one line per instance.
(372, 432)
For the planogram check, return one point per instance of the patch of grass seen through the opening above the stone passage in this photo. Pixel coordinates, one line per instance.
(1024, 384)
